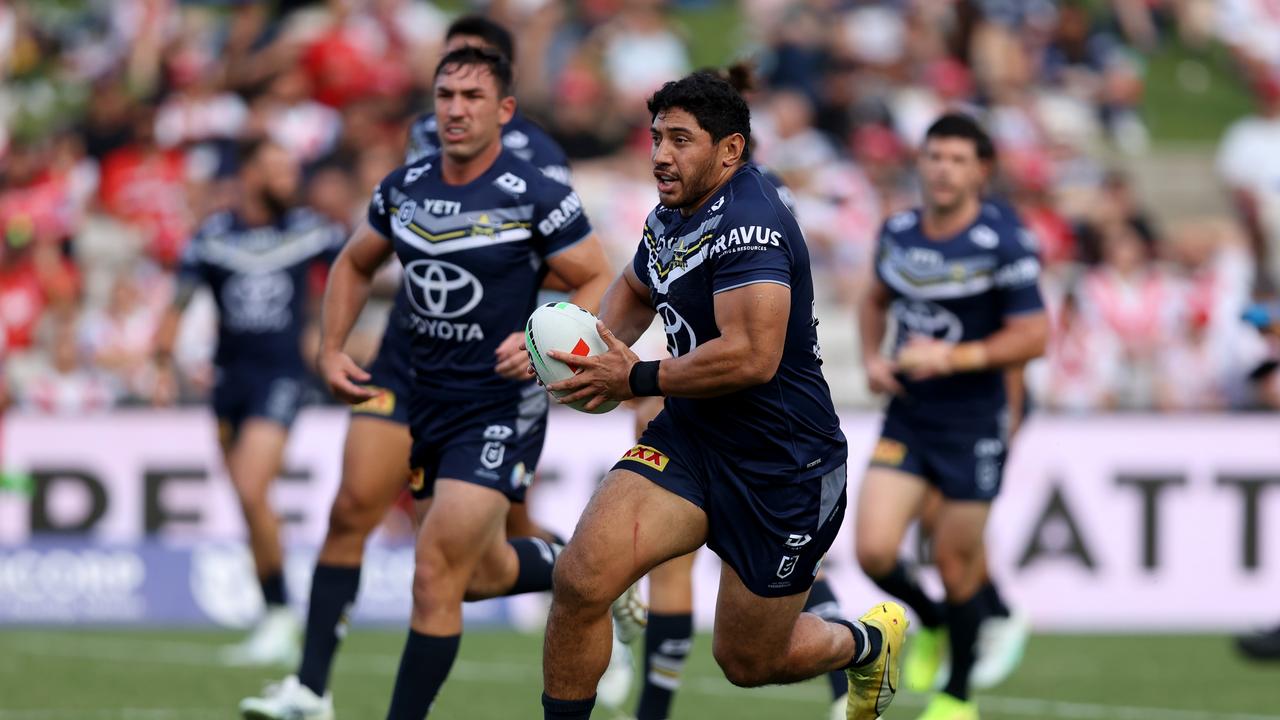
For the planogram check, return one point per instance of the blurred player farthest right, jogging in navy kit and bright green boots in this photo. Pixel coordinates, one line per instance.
(959, 280)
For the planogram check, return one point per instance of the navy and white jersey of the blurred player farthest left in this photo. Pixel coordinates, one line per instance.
(259, 280)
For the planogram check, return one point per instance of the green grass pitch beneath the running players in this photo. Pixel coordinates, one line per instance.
(162, 676)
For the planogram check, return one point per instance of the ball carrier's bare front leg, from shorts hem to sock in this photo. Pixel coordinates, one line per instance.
(630, 527)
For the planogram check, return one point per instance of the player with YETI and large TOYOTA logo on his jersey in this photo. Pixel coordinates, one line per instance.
(477, 230)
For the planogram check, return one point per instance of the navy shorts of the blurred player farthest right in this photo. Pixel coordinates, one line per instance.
(964, 462)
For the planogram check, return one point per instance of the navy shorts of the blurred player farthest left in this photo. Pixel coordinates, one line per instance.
(240, 395)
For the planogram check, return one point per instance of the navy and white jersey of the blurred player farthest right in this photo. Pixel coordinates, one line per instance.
(959, 290)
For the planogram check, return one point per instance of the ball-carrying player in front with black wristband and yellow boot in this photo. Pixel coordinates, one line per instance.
(747, 455)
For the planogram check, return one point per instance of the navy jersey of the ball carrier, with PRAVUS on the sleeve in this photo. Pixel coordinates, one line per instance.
(744, 236)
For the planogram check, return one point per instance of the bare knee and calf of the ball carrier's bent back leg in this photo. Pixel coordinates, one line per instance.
(769, 640)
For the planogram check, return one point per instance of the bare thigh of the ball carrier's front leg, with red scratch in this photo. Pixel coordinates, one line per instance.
(630, 526)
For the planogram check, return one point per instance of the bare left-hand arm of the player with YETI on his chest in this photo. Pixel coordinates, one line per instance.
(346, 294)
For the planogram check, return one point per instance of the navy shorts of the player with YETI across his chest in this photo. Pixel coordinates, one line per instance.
(491, 443)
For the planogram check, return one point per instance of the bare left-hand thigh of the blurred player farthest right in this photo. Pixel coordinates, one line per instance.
(888, 504)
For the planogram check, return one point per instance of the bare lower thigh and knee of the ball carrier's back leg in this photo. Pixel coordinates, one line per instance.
(749, 626)
